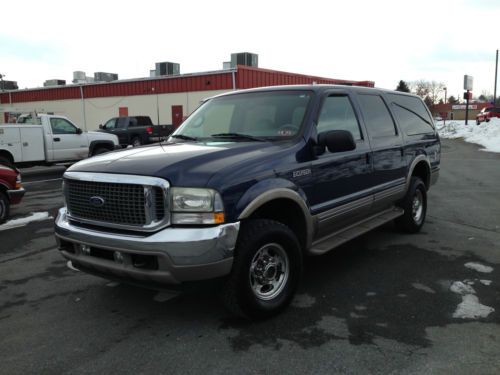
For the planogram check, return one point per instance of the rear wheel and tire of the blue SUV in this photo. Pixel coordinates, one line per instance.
(415, 207)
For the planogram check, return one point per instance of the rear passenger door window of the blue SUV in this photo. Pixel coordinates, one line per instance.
(378, 120)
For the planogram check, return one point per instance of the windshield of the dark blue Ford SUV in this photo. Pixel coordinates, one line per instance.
(272, 115)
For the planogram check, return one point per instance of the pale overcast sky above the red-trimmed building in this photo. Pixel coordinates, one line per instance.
(383, 41)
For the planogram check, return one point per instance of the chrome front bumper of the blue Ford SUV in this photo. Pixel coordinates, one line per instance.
(178, 254)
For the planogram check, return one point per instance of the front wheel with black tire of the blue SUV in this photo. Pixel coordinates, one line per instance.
(269, 249)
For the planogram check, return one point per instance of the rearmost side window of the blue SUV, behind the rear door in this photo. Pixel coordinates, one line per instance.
(411, 115)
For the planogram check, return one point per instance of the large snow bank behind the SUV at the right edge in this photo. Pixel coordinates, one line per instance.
(487, 134)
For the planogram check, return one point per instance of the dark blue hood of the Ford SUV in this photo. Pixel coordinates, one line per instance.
(183, 164)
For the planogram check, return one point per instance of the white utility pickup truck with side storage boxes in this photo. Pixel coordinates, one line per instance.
(45, 139)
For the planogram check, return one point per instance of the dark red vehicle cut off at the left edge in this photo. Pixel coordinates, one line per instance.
(11, 191)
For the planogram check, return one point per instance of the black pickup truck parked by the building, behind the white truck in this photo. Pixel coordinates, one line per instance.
(136, 130)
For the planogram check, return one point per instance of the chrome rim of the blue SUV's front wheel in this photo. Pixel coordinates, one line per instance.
(269, 271)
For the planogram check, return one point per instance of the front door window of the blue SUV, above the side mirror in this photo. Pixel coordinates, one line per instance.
(337, 114)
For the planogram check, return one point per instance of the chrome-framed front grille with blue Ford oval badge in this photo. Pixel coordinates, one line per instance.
(117, 201)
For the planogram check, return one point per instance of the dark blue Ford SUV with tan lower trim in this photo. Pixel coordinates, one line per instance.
(251, 183)
